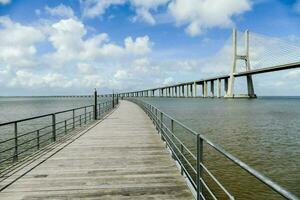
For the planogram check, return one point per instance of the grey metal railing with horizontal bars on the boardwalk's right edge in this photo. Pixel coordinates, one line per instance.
(190, 158)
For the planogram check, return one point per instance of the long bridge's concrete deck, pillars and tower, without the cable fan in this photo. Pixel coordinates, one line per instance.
(190, 88)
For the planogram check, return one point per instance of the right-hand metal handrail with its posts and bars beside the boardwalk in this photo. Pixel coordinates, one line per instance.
(149, 109)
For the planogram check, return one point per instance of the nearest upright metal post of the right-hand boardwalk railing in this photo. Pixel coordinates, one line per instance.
(198, 166)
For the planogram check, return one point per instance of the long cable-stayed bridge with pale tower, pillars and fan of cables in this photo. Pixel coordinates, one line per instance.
(251, 54)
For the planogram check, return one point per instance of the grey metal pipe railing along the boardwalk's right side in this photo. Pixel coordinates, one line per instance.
(195, 176)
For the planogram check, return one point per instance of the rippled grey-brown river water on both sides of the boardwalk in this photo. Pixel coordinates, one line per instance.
(263, 132)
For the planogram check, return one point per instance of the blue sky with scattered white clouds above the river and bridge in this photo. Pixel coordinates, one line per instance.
(51, 47)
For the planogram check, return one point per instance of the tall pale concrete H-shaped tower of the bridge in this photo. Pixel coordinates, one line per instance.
(236, 57)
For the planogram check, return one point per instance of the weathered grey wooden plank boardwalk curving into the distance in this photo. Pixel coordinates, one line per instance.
(121, 157)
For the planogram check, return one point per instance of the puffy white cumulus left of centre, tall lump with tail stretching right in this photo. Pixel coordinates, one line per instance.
(70, 46)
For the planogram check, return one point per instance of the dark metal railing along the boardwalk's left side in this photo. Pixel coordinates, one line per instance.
(13, 146)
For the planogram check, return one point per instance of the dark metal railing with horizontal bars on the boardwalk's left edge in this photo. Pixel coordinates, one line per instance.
(26, 136)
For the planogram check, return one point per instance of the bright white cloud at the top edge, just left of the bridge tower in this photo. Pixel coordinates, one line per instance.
(200, 15)
